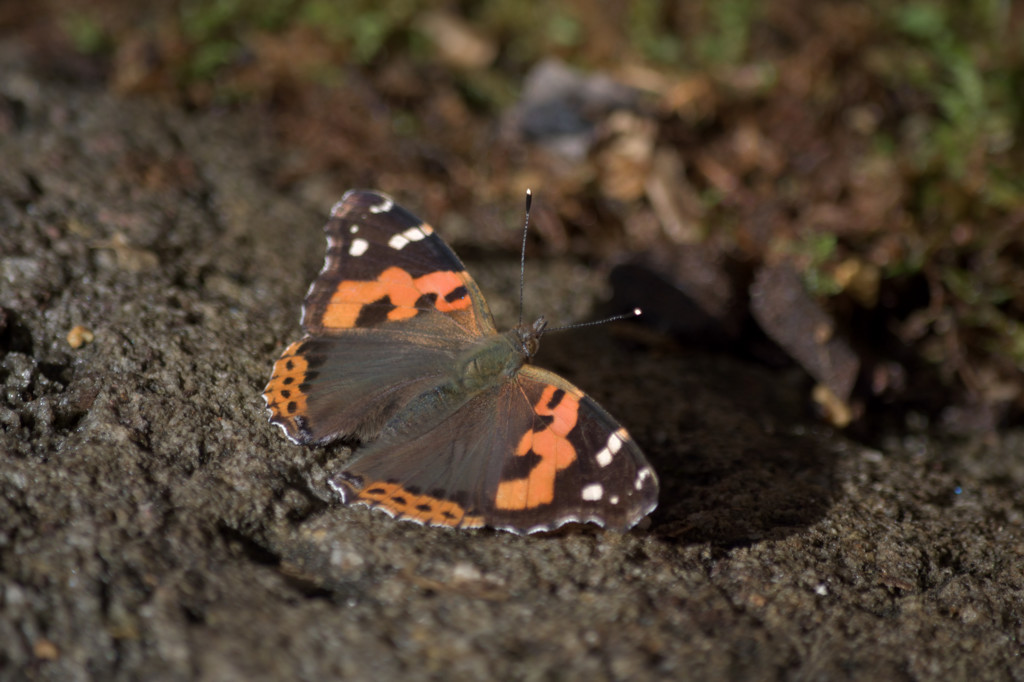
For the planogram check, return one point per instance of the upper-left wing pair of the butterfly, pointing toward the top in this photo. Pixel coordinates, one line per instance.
(391, 308)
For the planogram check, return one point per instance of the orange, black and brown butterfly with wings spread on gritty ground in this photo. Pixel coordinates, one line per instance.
(453, 425)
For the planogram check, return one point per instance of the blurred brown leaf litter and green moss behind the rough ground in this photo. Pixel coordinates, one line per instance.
(870, 149)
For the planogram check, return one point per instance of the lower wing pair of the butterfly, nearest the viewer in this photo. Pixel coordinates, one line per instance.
(531, 455)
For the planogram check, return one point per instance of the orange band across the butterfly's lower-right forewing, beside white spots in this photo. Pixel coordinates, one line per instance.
(551, 445)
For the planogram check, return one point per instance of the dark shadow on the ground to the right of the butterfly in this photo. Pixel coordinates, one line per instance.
(738, 457)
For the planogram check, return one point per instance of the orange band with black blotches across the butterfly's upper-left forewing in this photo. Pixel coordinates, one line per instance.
(402, 290)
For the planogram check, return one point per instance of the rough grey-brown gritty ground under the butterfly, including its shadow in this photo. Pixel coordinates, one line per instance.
(153, 526)
